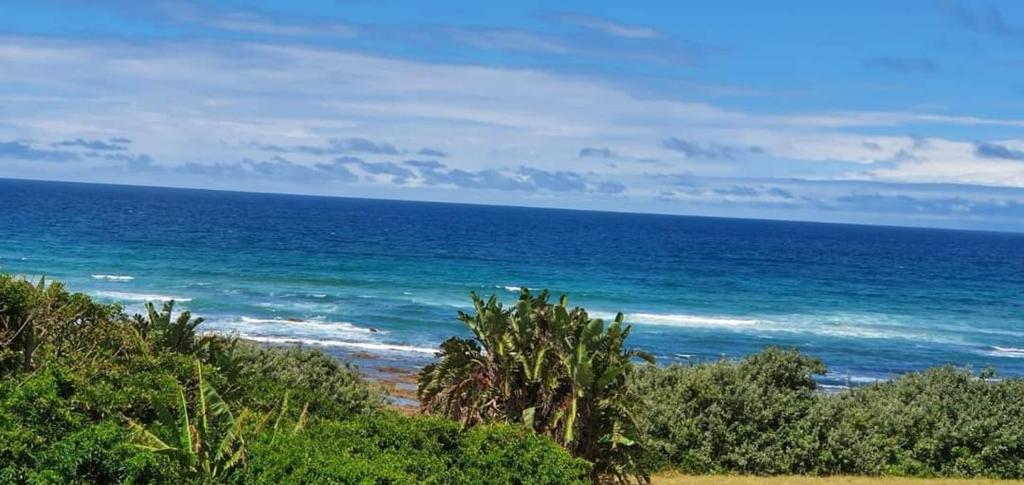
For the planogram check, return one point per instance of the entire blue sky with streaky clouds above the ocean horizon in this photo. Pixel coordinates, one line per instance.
(907, 113)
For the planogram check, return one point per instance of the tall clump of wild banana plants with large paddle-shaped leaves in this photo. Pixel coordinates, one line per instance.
(549, 367)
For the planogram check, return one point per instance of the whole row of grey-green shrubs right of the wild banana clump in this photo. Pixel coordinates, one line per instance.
(762, 415)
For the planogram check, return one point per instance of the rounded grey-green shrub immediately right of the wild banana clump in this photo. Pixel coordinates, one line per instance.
(729, 417)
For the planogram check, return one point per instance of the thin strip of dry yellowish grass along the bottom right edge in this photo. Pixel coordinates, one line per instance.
(676, 479)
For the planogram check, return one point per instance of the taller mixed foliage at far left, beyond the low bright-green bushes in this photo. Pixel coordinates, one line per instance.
(67, 405)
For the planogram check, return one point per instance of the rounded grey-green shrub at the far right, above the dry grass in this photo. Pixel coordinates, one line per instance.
(944, 422)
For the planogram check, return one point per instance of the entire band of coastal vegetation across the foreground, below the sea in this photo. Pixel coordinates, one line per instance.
(540, 393)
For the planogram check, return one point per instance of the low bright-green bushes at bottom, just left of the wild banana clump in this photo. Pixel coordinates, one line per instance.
(393, 449)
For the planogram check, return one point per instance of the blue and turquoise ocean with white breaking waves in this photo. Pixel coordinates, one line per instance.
(381, 282)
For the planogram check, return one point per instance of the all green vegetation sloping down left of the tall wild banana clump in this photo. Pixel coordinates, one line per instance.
(90, 394)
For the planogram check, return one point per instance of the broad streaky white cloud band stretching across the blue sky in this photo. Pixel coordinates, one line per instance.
(209, 103)
